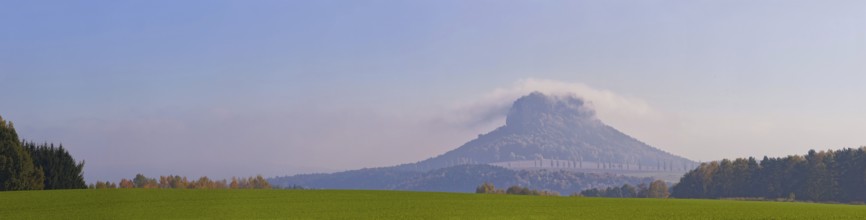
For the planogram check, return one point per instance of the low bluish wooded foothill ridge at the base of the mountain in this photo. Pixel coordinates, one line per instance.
(461, 178)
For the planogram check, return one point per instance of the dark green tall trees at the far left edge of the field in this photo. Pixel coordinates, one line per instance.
(28, 166)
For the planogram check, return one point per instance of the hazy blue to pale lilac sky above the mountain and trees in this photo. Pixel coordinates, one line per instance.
(238, 88)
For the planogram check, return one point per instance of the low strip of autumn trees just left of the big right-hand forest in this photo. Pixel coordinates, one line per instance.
(656, 189)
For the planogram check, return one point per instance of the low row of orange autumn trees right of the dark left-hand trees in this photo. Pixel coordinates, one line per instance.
(179, 182)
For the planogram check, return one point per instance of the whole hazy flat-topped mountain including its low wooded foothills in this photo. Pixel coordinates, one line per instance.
(547, 142)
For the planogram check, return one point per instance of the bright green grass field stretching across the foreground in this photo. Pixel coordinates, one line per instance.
(330, 204)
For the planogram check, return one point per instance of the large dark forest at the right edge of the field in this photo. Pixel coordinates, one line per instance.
(825, 176)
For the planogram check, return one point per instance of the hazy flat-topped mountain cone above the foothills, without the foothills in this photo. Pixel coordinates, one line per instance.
(562, 129)
